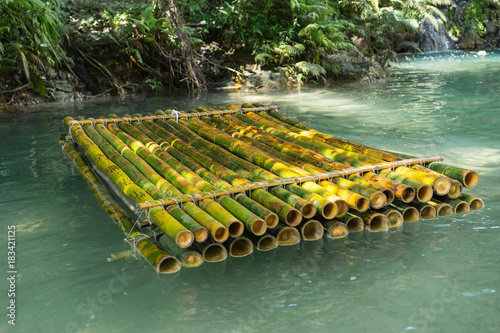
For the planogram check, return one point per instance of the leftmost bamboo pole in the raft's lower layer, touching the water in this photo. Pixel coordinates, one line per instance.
(162, 261)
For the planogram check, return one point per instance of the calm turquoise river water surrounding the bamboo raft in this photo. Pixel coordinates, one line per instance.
(440, 275)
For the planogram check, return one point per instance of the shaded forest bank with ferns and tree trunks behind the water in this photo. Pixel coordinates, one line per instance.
(58, 50)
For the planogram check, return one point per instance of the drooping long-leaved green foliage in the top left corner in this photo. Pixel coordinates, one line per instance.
(29, 39)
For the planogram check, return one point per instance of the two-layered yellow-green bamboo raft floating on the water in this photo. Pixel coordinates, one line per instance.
(207, 183)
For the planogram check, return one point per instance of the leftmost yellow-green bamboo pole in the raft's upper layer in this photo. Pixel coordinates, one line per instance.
(182, 236)
